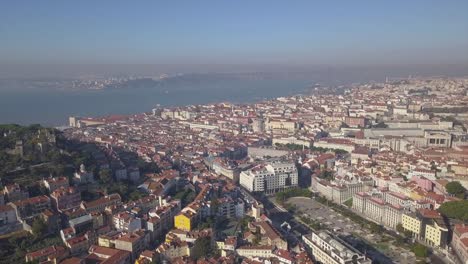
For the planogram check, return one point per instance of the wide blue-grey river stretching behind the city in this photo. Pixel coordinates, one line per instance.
(53, 107)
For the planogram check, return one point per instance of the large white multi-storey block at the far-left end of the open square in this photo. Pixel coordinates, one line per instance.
(270, 177)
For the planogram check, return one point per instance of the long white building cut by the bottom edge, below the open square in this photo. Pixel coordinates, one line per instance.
(330, 249)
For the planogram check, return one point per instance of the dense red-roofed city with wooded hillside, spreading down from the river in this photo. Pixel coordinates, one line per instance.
(372, 173)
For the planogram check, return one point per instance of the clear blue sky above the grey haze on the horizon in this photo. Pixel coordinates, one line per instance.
(202, 31)
